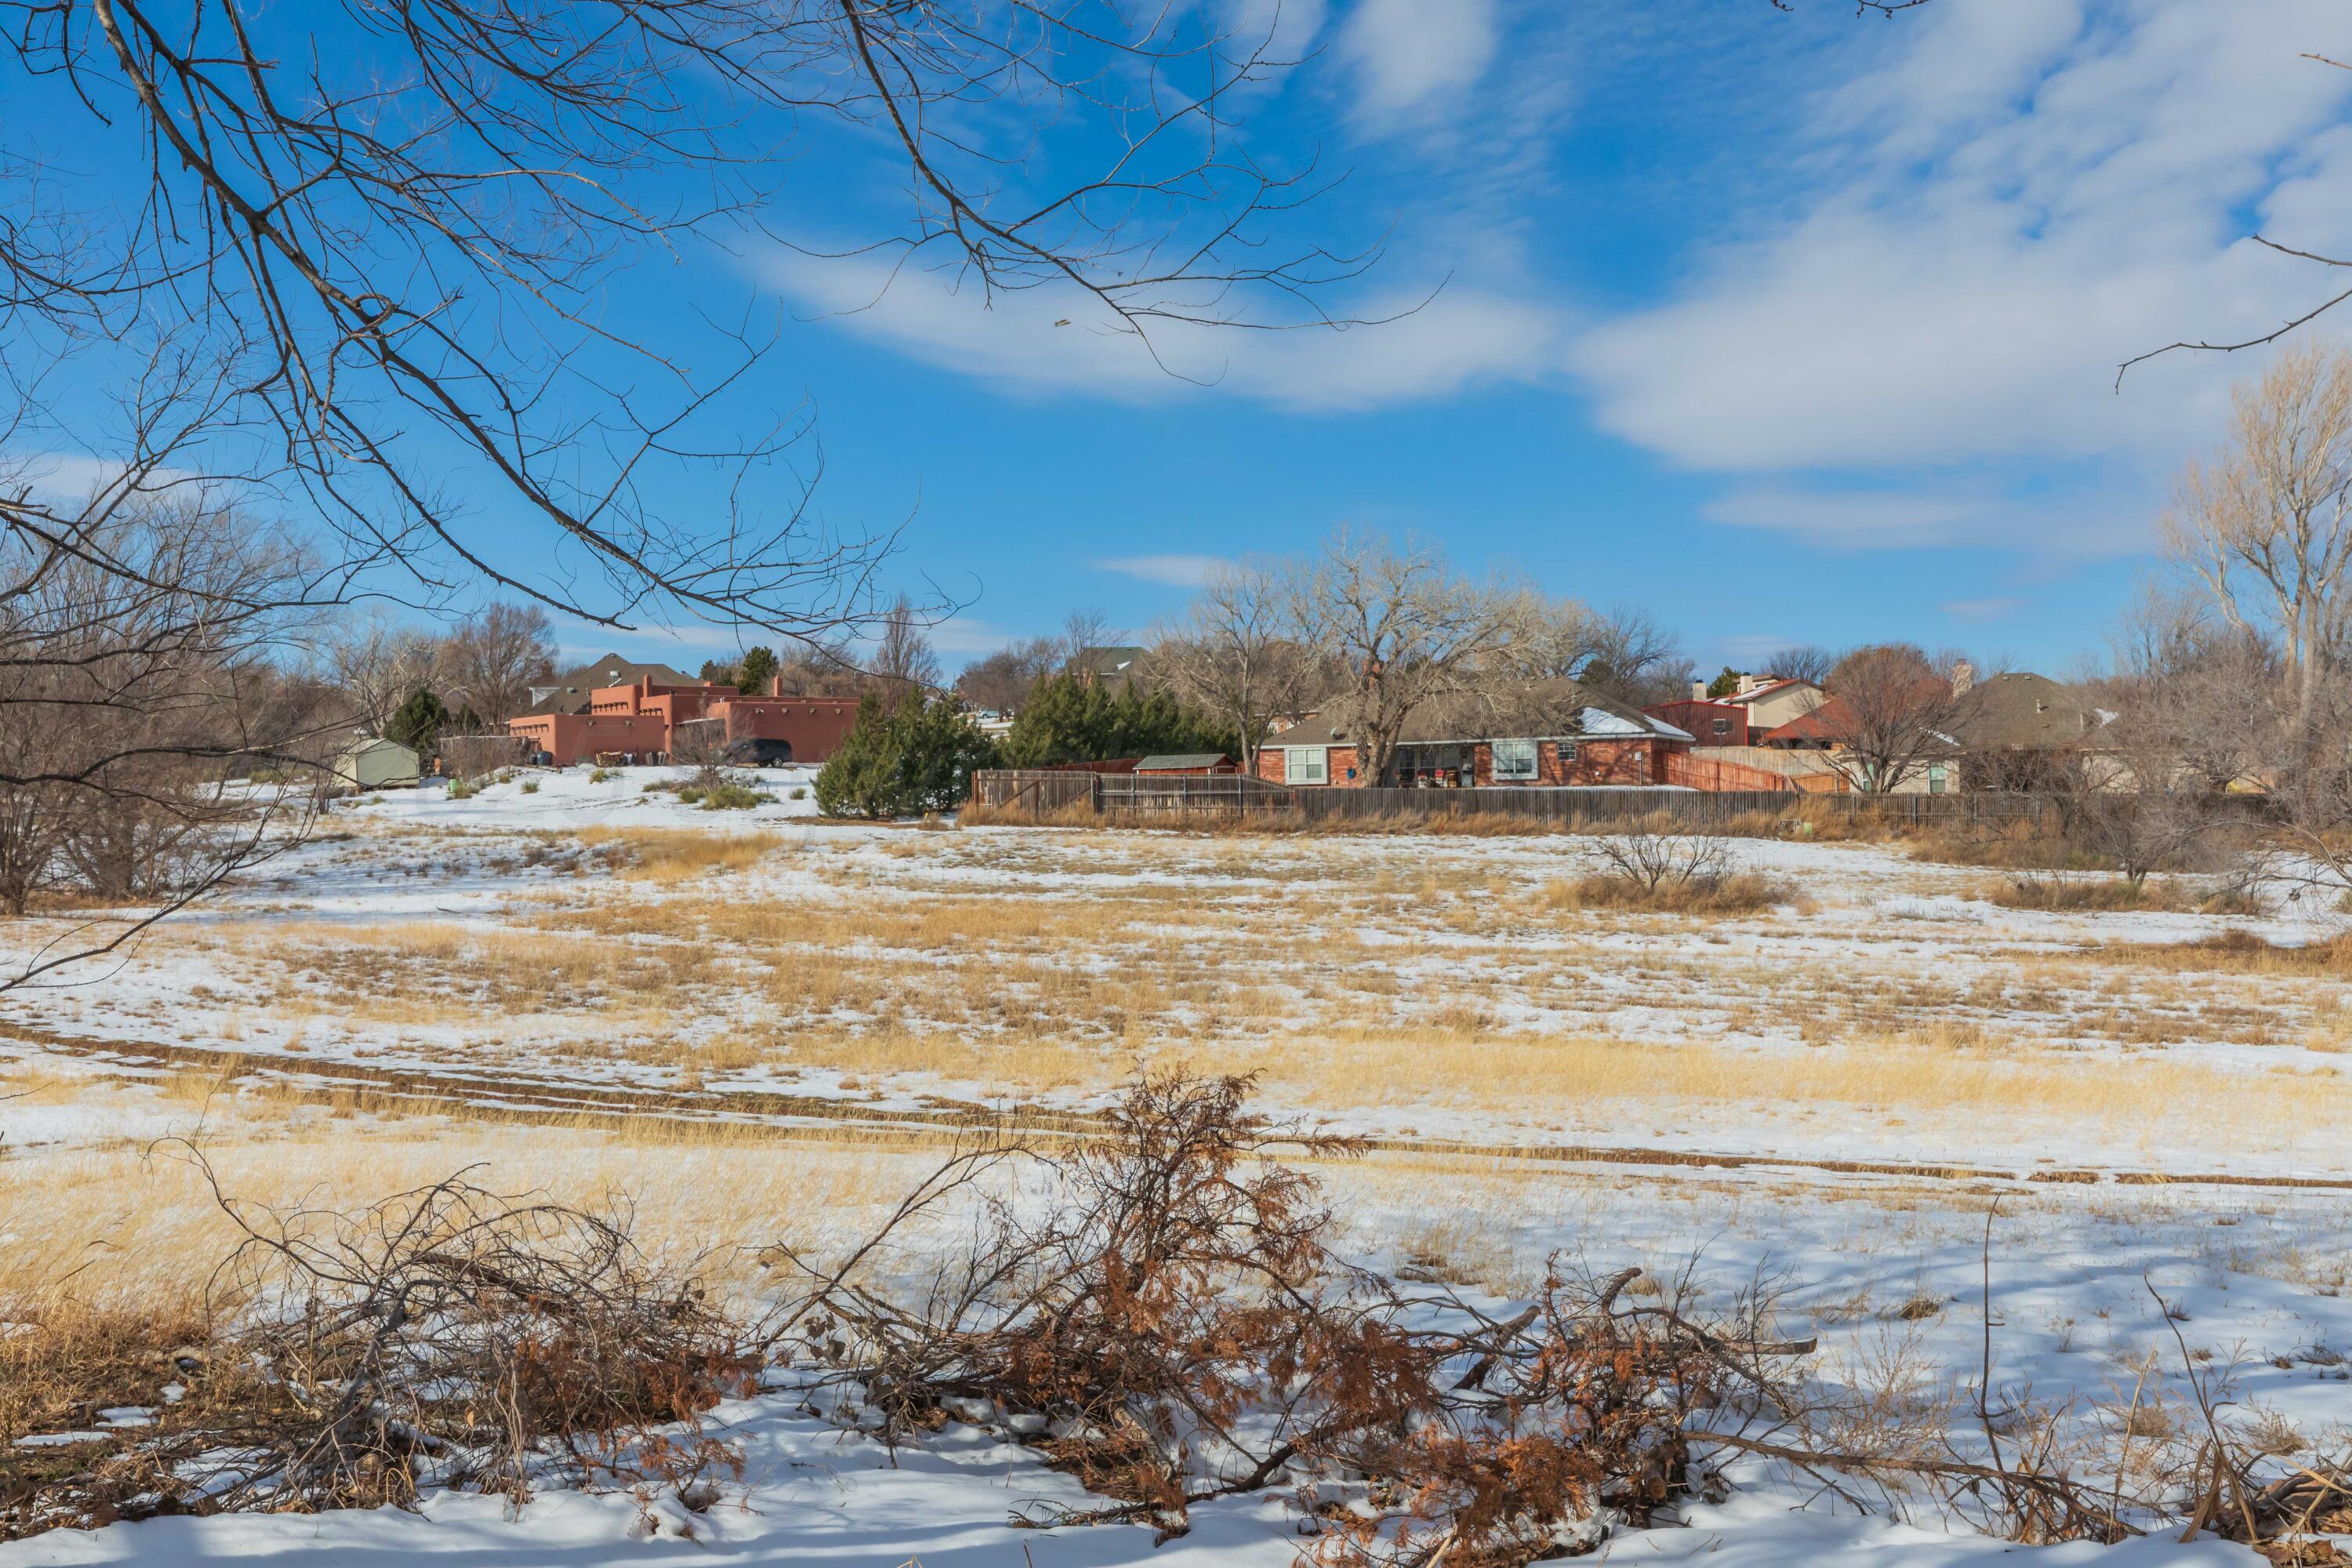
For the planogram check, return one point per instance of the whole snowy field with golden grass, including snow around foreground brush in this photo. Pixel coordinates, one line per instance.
(716, 1010)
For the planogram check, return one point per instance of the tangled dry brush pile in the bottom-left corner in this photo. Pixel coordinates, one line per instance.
(448, 1336)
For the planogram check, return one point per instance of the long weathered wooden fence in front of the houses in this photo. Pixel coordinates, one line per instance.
(1238, 796)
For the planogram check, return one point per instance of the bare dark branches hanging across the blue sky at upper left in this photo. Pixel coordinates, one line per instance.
(394, 225)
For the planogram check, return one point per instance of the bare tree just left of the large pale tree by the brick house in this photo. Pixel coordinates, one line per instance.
(1236, 652)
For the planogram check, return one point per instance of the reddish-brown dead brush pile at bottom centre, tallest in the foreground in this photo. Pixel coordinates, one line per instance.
(1175, 1327)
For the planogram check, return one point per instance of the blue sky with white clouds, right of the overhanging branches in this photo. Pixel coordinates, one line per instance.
(1786, 328)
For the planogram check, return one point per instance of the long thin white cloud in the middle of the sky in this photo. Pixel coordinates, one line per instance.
(1062, 342)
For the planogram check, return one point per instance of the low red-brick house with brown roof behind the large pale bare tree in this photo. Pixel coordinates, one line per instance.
(1556, 735)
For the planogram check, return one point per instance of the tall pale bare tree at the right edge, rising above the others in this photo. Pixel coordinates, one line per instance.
(2269, 528)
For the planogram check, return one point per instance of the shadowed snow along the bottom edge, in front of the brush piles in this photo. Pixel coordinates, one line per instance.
(815, 1494)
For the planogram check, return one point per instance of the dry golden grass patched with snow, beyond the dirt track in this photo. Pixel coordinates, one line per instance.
(1356, 974)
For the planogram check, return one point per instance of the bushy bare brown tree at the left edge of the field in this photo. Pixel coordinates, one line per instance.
(135, 697)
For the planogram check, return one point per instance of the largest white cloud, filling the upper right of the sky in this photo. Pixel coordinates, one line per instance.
(2022, 201)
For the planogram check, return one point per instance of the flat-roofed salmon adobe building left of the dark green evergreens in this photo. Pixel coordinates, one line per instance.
(662, 721)
